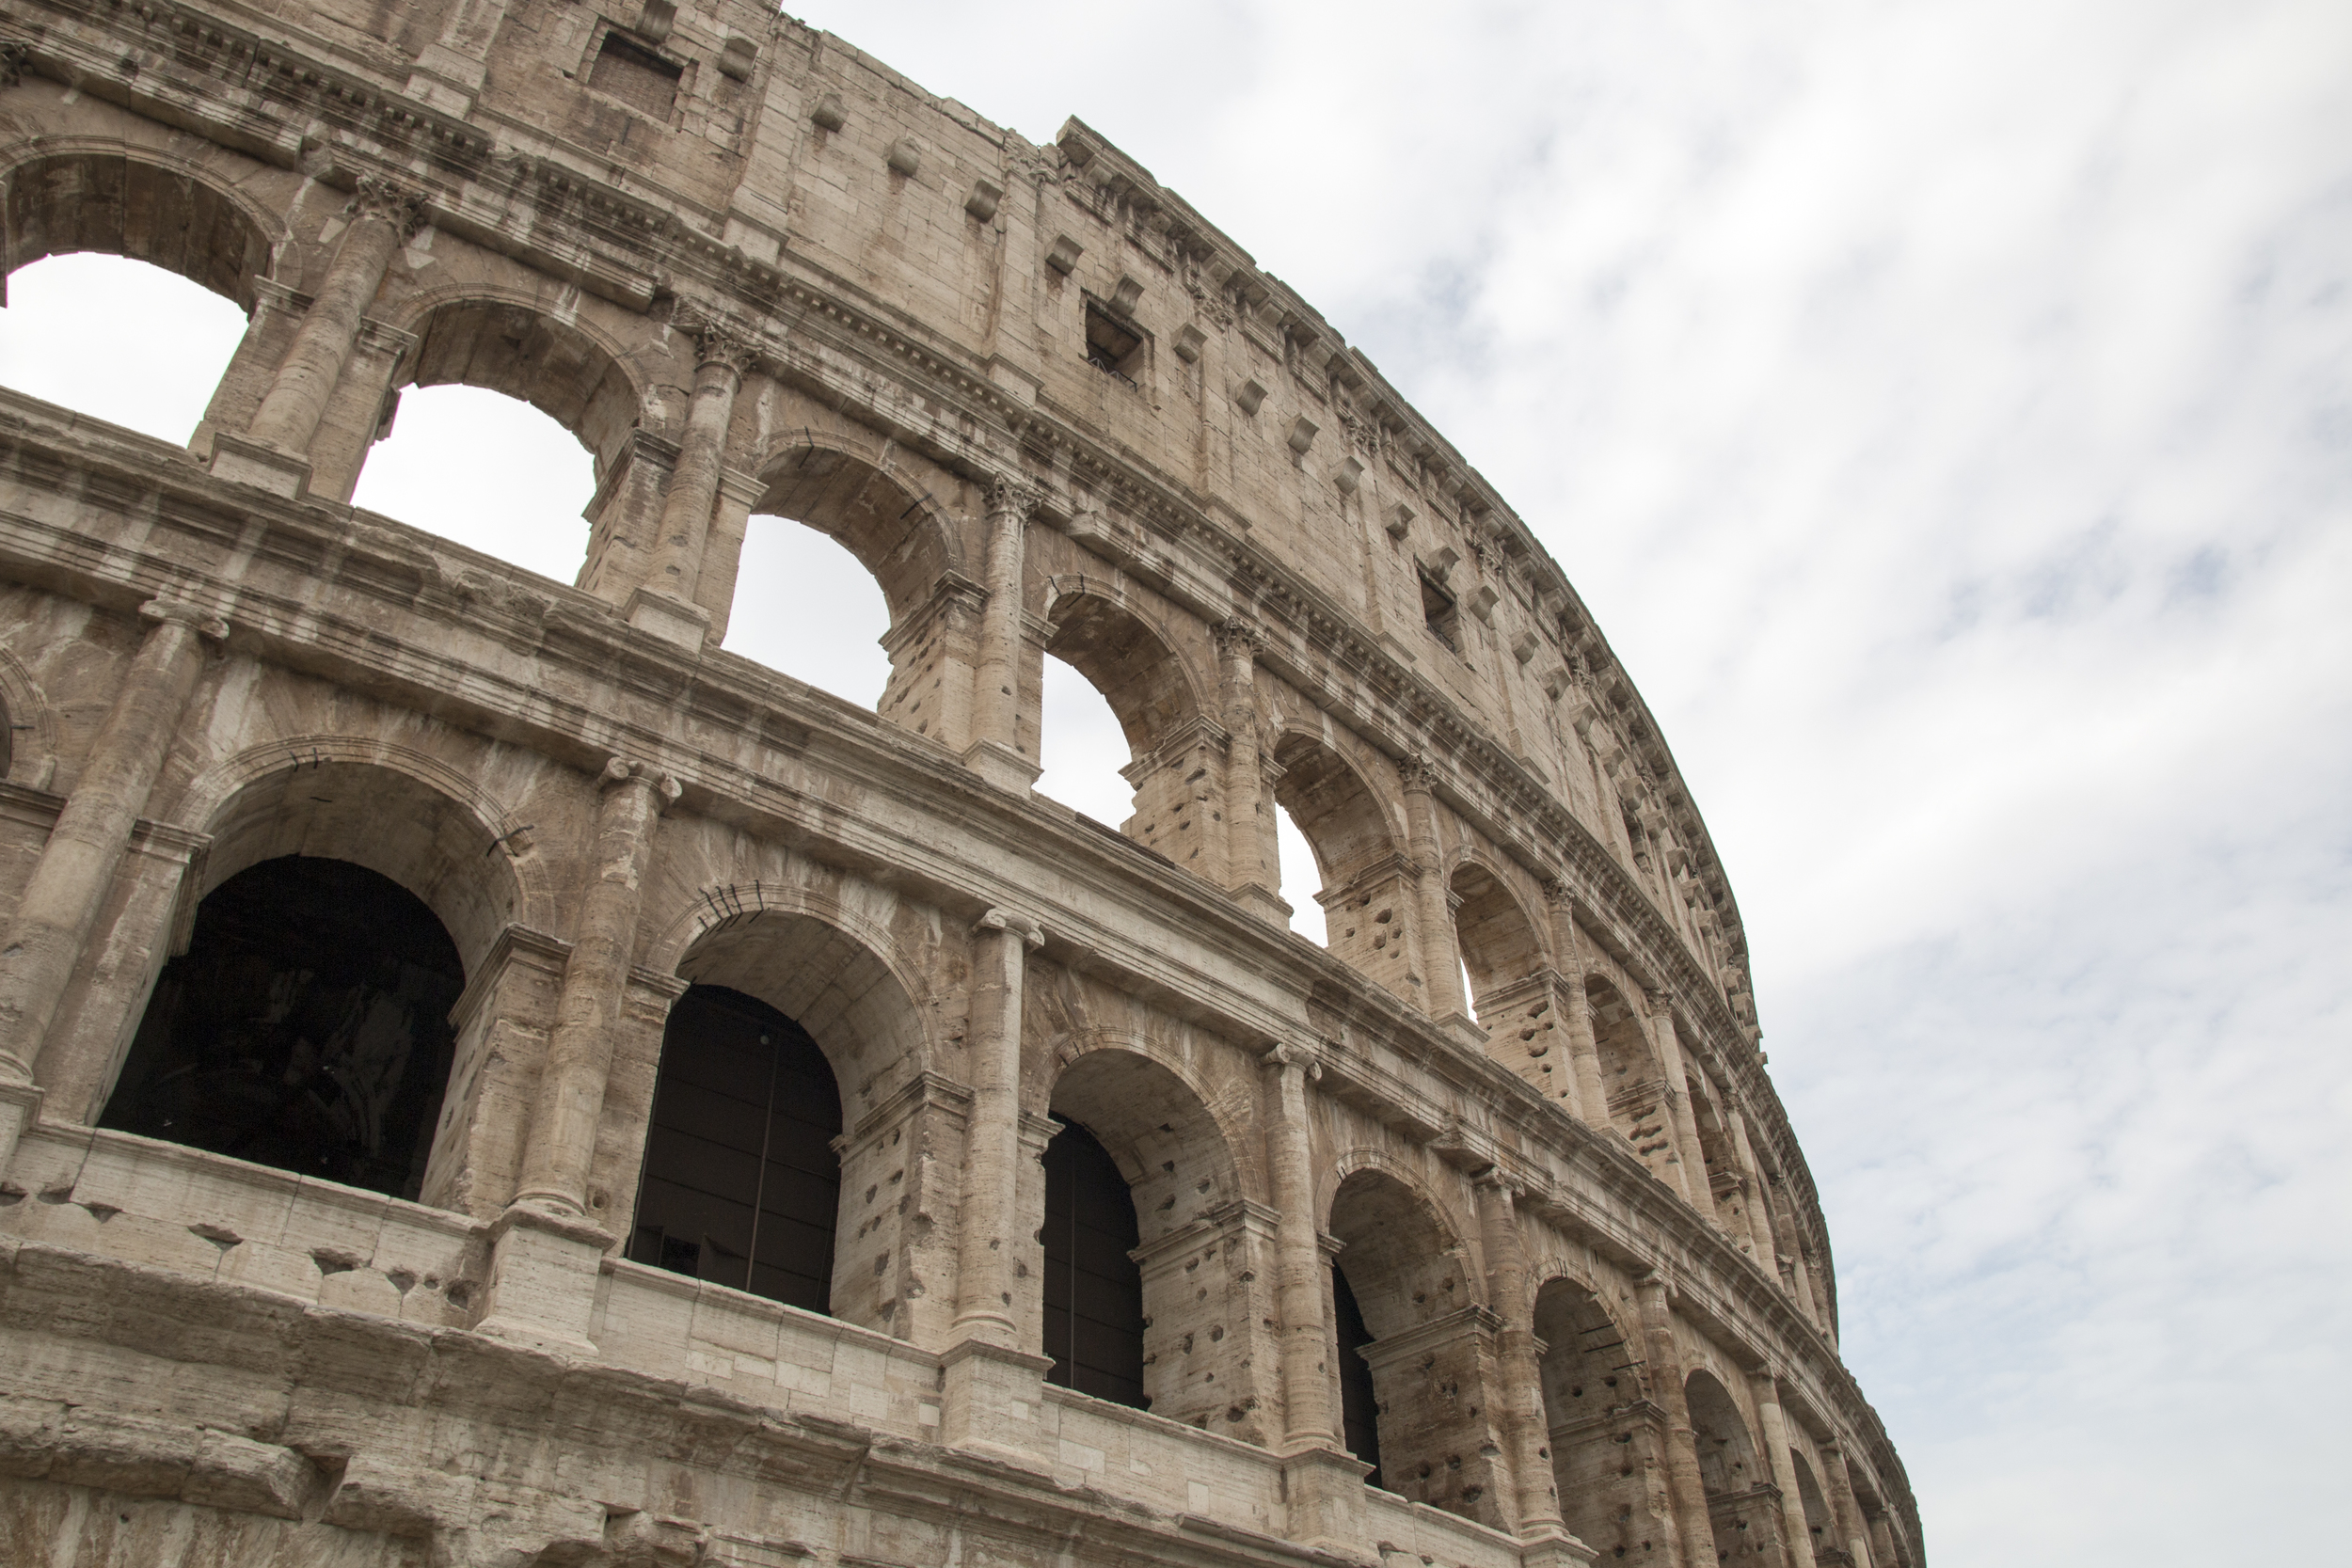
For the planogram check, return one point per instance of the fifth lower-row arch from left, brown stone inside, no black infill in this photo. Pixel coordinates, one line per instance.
(1603, 1430)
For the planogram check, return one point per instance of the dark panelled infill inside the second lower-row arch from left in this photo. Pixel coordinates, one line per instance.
(742, 1181)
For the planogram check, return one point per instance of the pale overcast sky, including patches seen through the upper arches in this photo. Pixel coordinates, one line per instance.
(1946, 410)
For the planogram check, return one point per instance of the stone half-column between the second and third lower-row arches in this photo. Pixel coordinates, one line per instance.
(991, 1214)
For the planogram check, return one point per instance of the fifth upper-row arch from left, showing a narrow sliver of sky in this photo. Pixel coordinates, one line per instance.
(1363, 894)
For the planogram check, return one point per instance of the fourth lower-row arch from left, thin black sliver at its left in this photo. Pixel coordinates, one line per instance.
(1436, 1440)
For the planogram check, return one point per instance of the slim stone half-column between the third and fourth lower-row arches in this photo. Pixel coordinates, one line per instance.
(1302, 1287)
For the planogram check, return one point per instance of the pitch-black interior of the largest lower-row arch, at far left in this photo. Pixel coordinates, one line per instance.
(307, 1028)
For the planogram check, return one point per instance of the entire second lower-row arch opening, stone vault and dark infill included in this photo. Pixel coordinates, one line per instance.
(843, 1047)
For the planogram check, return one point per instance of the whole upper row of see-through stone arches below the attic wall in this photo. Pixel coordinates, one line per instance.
(552, 354)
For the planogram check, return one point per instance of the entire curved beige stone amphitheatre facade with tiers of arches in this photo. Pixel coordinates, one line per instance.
(493, 1078)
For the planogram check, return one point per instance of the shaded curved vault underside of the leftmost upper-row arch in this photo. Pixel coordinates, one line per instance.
(126, 208)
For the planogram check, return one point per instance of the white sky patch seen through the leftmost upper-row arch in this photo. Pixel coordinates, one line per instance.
(76, 323)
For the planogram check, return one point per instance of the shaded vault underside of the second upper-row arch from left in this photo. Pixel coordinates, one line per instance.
(526, 354)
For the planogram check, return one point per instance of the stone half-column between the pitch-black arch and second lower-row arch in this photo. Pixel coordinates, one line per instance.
(570, 1101)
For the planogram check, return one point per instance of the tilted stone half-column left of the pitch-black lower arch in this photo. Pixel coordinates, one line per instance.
(86, 847)
